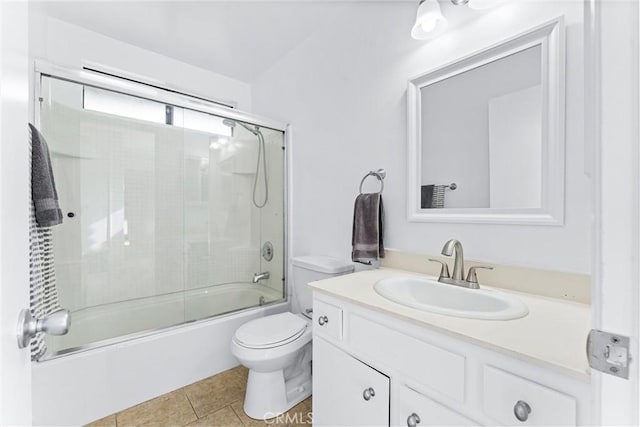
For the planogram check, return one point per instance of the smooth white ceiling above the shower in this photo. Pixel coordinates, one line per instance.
(238, 39)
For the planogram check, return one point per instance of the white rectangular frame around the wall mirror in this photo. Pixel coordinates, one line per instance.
(550, 36)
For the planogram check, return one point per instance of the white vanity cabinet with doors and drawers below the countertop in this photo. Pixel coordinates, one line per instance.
(424, 377)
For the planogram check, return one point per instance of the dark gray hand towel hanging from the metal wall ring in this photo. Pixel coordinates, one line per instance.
(368, 227)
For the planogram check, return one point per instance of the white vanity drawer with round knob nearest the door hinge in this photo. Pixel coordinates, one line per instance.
(503, 391)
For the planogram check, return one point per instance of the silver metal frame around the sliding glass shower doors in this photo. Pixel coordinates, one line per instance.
(126, 87)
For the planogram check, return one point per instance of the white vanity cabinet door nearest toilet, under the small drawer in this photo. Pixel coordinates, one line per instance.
(346, 392)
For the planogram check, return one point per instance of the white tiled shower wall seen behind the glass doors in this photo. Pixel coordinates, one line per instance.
(156, 208)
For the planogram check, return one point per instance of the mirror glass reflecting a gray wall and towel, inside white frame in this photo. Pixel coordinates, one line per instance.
(482, 130)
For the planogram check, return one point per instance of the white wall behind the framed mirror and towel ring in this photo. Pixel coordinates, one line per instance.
(344, 90)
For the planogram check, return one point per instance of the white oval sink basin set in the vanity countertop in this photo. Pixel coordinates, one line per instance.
(433, 296)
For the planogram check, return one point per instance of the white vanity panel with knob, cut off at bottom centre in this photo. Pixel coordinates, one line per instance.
(424, 411)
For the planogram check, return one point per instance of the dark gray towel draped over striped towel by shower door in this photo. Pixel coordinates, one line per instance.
(43, 186)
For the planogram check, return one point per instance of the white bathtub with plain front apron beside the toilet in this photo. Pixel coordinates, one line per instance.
(83, 382)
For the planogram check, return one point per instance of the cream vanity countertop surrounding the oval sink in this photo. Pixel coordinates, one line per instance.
(554, 332)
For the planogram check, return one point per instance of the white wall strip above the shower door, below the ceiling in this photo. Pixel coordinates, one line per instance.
(73, 46)
